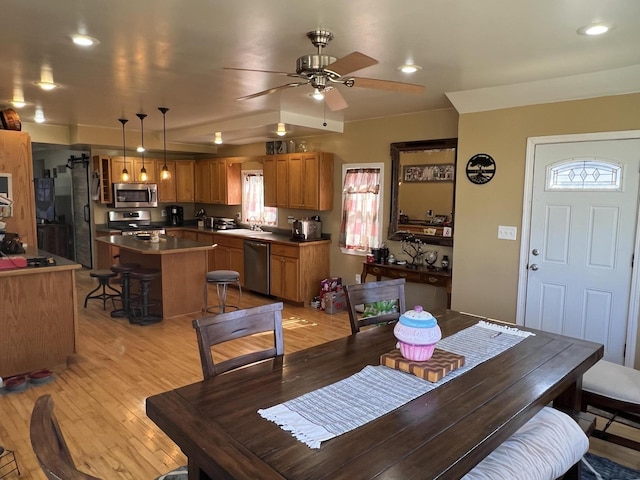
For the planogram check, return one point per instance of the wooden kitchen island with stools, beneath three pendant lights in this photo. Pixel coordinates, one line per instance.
(183, 266)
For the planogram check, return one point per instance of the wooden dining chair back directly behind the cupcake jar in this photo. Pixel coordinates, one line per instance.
(375, 293)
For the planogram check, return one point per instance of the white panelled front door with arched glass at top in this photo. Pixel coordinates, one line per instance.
(582, 235)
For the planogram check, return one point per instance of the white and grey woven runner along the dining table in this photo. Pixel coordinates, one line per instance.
(330, 411)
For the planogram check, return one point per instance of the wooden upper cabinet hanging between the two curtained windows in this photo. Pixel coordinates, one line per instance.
(299, 180)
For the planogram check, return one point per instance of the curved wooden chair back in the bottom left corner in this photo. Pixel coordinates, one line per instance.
(49, 444)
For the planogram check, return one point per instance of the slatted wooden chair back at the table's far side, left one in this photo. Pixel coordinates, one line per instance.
(216, 329)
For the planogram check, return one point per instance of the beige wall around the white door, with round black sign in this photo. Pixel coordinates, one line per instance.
(485, 271)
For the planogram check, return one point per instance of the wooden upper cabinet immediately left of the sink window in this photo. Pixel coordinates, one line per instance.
(218, 181)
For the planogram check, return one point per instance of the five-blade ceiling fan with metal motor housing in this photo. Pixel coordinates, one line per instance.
(323, 71)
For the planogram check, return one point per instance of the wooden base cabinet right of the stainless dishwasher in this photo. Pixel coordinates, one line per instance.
(297, 270)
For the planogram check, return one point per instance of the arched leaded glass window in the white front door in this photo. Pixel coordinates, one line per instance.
(584, 174)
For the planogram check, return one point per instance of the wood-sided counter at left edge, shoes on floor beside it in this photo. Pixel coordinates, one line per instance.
(39, 320)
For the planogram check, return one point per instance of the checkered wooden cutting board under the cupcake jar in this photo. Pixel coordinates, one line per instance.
(433, 370)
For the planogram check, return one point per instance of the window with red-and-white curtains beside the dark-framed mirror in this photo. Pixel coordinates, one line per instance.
(361, 226)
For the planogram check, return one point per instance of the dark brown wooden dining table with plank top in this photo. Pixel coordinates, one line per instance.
(441, 434)
